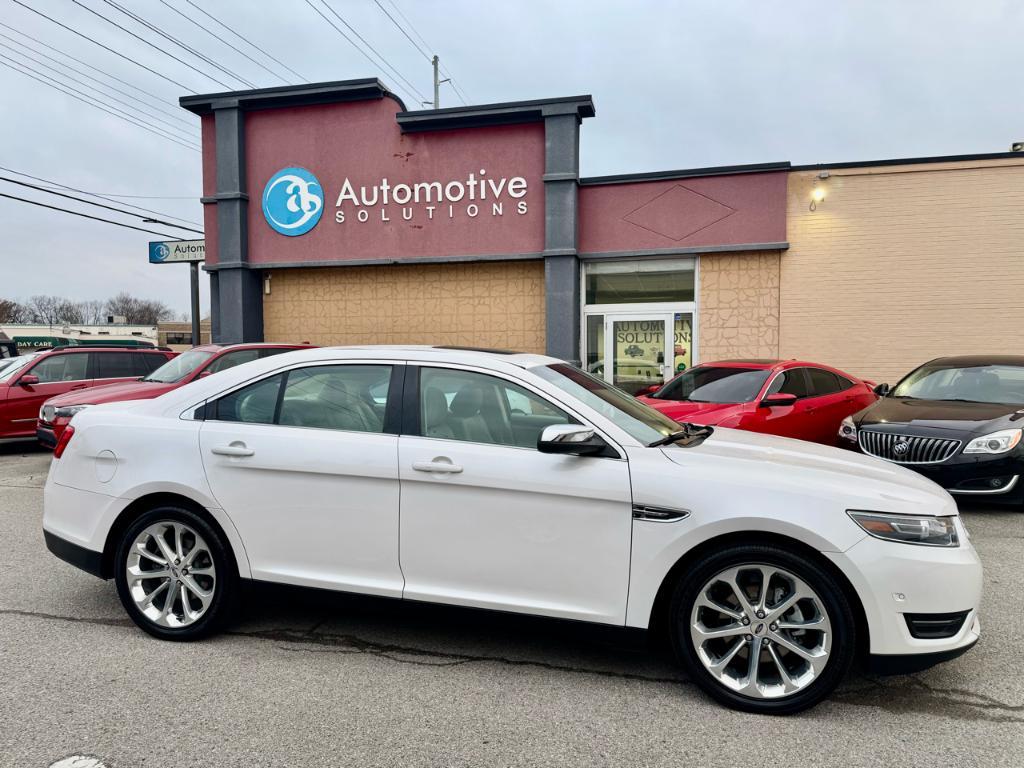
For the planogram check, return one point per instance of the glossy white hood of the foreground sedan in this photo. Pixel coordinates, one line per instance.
(838, 478)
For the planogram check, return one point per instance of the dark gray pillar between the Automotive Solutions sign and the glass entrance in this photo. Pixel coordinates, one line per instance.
(562, 266)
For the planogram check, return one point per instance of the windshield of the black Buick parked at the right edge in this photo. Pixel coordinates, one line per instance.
(1004, 385)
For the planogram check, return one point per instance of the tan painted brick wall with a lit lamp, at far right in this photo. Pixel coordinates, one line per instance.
(904, 264)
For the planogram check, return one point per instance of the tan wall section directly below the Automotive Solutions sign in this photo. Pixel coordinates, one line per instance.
(492, 305)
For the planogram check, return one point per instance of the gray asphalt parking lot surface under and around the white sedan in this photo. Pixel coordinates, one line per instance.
(321, 679)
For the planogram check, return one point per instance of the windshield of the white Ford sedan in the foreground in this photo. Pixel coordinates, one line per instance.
(641, 421)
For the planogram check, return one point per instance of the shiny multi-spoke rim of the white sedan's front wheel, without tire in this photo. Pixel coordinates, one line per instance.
(761, 631)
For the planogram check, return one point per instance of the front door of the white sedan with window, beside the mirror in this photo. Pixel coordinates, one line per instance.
(490, 522)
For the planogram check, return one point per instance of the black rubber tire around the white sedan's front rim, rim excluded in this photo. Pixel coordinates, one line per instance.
(840, 615)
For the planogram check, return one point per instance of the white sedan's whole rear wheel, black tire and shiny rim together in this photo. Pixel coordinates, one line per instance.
(175, 576)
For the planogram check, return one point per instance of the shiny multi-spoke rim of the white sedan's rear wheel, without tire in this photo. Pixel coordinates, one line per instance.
(170, 575)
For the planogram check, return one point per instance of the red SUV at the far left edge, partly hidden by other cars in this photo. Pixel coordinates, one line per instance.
(28, 381)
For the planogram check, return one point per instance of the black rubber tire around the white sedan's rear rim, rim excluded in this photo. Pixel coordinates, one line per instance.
(223, 606)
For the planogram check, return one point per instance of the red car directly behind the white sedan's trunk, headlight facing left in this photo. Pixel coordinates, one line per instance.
(197, 363)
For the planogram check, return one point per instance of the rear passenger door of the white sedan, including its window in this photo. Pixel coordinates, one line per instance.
(308, 473)
